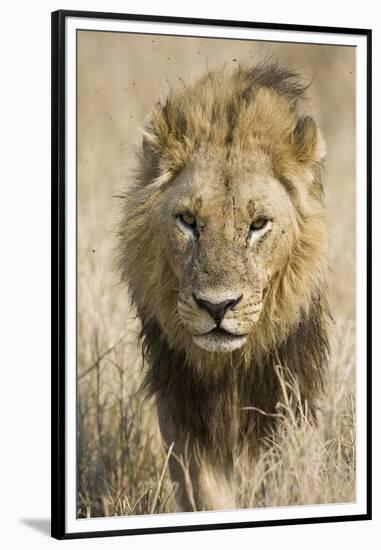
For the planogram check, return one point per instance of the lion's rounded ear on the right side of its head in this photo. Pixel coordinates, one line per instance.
(307, 141)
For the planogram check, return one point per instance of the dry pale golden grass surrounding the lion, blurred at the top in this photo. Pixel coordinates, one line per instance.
(121, 460)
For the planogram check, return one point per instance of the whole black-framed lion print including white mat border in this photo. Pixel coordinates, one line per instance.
(211, 192)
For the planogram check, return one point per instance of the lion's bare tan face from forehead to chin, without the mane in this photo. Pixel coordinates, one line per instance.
(226, 235)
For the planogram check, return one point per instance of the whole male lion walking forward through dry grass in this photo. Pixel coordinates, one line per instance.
(223, 247)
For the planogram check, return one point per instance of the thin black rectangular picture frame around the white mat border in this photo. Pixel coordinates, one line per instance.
(58, 117)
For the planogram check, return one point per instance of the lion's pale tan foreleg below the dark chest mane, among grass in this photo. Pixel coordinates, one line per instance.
(201, 485)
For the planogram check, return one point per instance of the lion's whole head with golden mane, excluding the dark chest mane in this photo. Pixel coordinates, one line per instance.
(223, 238)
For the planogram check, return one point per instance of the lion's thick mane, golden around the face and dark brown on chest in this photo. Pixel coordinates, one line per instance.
(209, 398)
